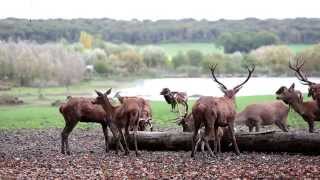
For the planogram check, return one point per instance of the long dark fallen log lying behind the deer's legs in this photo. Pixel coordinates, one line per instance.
(302, 142)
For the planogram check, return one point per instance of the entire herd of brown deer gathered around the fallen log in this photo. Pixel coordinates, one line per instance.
(216, 114)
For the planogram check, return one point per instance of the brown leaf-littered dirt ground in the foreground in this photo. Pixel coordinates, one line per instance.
(36, 154)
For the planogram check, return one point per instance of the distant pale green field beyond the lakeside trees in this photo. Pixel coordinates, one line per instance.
(173, 48)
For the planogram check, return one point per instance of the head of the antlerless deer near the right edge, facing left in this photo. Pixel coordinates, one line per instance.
(289, 96)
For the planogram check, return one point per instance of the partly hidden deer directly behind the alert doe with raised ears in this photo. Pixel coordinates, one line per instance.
(146, 113)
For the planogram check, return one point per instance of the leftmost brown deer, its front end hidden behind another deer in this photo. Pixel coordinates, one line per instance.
(82, 110)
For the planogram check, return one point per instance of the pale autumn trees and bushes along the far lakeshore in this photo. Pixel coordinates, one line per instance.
(63, 64)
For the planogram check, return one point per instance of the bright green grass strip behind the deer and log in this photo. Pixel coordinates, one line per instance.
(45, 116)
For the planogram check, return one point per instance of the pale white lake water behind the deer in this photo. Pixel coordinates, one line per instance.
(150, 88)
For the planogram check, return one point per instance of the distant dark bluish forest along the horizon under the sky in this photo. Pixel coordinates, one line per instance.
(300, 30)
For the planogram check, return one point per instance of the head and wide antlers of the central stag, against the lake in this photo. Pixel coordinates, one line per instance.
(230, 93)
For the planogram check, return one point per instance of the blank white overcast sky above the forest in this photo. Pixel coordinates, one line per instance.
(159, 9)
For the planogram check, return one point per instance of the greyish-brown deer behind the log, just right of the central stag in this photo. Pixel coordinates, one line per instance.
(257, 115)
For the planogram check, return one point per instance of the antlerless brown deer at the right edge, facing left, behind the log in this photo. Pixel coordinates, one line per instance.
(309, 110)
